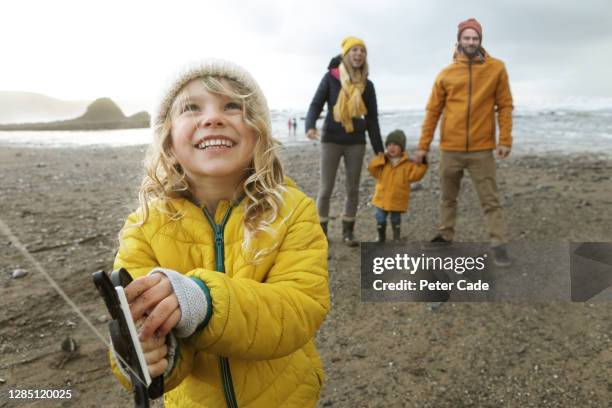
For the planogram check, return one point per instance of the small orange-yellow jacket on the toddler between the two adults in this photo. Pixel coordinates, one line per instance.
(393, 185)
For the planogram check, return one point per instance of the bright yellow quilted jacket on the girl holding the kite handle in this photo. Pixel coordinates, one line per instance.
(264, 316)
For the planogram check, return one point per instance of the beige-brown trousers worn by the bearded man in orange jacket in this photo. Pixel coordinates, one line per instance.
(481, 167)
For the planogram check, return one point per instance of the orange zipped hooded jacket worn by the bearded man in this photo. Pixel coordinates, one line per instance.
(467, 94)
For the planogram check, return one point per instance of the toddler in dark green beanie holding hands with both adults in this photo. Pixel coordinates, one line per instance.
(394, 172)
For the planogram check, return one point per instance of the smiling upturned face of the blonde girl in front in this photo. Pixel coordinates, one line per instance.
(209, 135)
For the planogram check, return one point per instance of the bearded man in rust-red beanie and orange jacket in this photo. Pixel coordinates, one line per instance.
(468, 93)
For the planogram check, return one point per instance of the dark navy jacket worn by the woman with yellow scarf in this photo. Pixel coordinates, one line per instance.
(332, 131)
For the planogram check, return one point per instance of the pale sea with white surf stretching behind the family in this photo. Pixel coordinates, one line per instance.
(535, 131)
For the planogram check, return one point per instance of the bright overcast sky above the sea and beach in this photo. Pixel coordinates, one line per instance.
(555, 52)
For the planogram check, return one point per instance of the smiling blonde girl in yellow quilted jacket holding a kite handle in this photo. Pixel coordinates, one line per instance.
(228, 256)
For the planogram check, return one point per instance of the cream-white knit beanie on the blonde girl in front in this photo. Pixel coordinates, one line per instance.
(207, 67)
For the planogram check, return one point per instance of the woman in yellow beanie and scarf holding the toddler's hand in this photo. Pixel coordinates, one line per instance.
(351, 111)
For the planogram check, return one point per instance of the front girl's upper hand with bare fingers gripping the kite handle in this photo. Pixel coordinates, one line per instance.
(153, 298)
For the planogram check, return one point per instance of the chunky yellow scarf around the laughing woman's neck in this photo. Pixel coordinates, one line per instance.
(350, 103)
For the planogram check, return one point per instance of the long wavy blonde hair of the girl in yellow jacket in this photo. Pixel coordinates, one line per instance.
(262, 187)
